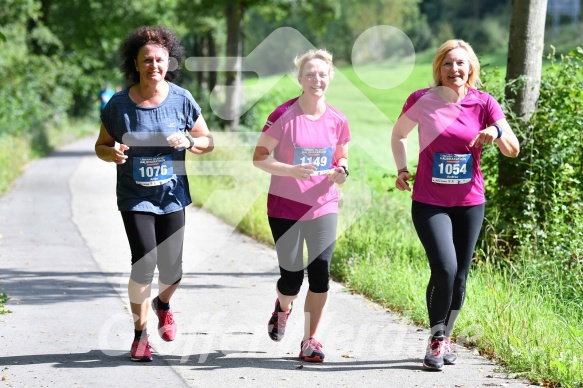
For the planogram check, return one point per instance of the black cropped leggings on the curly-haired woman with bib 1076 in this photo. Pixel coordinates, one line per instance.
(155, 239)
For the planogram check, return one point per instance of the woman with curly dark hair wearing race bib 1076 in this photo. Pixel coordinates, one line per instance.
(145, 130)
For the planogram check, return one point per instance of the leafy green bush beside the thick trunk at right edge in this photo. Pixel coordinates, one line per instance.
(536, 225)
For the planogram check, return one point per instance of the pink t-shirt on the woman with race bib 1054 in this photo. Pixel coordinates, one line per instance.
(448, 172)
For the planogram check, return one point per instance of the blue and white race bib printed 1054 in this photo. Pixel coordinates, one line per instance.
(452, 169)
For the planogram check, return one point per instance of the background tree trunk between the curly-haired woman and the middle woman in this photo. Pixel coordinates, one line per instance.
(233, 100)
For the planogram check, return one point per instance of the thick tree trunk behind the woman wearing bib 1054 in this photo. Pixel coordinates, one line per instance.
(525, 53)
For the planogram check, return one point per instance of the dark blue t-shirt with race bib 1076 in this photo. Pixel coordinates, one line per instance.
(153, 179)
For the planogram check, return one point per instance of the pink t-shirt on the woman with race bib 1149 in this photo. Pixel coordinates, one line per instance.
(299, 137)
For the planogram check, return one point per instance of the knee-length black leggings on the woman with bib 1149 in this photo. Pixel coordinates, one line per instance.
(289, 236)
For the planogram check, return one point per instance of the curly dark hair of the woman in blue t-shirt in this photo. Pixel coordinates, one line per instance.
(160, 36)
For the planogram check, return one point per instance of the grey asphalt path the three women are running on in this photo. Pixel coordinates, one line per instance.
(64, 263)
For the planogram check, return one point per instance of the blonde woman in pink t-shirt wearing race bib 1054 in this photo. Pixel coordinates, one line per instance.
(454, 121)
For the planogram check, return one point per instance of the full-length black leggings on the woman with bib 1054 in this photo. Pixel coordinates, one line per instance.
(449, 236)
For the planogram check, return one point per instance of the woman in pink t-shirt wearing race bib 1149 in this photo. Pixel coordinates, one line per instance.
(304, 147)
